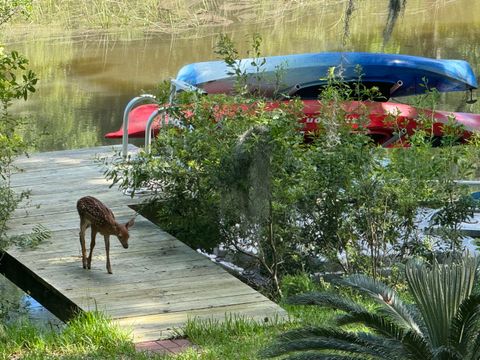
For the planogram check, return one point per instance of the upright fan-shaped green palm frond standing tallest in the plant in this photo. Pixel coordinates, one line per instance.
(439, 291)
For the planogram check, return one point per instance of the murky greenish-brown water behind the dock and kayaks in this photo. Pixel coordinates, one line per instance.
(87, 80)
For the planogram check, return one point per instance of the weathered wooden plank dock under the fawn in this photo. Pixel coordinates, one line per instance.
(157, 284)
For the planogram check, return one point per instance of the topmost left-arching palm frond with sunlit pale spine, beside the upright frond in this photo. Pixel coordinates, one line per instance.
(390, 303)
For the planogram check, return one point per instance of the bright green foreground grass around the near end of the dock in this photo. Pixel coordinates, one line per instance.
(93, 336)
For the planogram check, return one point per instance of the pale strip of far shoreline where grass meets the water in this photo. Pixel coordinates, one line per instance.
(202, 24)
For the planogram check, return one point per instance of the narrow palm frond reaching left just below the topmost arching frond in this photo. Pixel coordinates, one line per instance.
(326, 299)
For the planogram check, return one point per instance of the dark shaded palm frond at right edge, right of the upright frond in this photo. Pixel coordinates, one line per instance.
(466, 324)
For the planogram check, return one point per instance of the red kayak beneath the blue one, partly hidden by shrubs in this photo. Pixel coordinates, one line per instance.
(385, 119)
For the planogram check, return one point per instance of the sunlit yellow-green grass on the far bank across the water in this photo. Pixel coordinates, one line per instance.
(169, 16)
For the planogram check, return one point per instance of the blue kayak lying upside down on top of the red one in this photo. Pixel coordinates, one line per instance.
(304, 75)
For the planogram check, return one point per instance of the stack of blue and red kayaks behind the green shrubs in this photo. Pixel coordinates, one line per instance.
(304, 76)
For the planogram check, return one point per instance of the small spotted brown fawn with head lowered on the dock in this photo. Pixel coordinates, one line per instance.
(101, 219)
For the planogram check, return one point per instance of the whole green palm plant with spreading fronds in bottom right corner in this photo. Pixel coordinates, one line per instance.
(444, 322)
